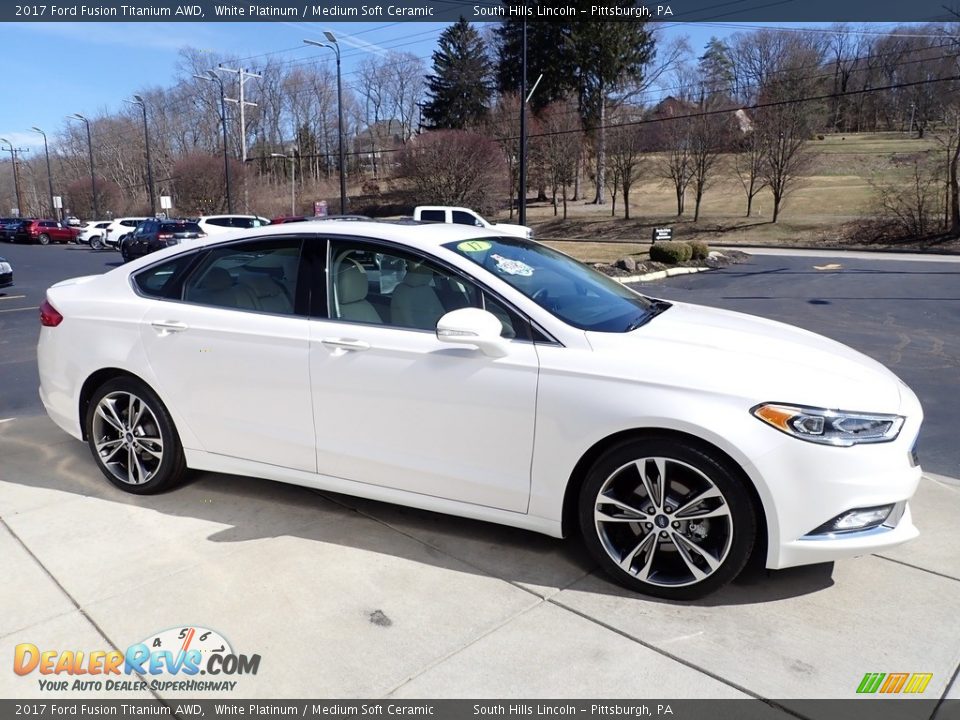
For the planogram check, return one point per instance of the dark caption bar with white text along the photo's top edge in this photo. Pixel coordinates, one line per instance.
(329, 11)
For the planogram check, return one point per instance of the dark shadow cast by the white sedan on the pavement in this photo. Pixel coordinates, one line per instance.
(37, 455)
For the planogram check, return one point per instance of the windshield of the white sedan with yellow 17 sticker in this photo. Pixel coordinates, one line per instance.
(570, 290)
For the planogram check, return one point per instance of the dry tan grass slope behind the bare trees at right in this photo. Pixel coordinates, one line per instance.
(837, 191)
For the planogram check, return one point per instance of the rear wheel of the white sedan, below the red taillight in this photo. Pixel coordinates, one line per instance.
(127, 453)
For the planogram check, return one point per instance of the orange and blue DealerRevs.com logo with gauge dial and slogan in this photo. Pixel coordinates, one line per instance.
(173, 659)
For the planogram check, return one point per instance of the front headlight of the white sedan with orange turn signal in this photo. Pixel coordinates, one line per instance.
(829, 427)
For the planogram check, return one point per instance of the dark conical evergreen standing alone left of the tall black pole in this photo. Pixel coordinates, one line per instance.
(461, 84)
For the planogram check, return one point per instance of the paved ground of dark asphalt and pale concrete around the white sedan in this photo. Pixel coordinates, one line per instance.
(349, 598)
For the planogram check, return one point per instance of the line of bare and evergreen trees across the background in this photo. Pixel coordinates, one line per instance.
(614, 103)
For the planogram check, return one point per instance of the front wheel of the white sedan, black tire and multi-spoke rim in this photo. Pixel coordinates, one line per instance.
(653, 541)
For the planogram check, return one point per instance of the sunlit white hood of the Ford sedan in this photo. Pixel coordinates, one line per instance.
(758, 359)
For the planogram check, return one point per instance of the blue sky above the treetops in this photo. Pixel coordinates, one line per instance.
(52, 70)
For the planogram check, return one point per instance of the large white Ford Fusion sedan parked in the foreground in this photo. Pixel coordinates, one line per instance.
(488, 377)
